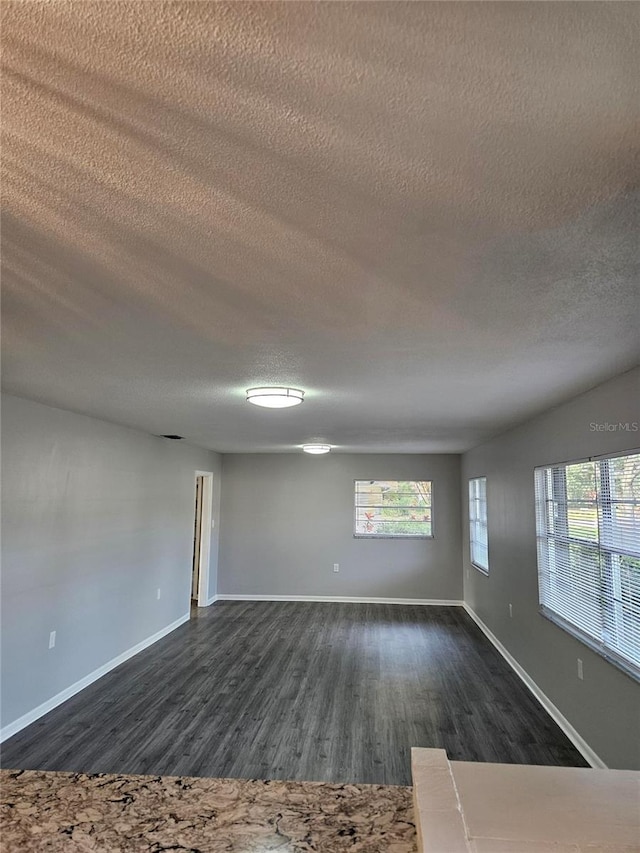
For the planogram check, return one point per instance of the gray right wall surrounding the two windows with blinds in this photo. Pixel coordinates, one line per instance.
(605, 707)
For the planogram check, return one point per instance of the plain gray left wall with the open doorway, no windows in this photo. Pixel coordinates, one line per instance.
(96, 517)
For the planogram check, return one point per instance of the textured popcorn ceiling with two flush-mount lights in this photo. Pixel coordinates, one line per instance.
(424, 214)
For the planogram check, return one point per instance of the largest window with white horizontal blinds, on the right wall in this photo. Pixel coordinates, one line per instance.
(588, 532)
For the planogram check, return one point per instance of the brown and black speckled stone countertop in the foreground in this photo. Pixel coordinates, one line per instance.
(45, 811)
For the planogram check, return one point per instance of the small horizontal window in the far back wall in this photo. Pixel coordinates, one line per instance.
(393, 508)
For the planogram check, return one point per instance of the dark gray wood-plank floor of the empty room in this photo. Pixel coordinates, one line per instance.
(300, 691)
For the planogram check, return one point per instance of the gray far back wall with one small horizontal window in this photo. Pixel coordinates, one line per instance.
(287, 518)
